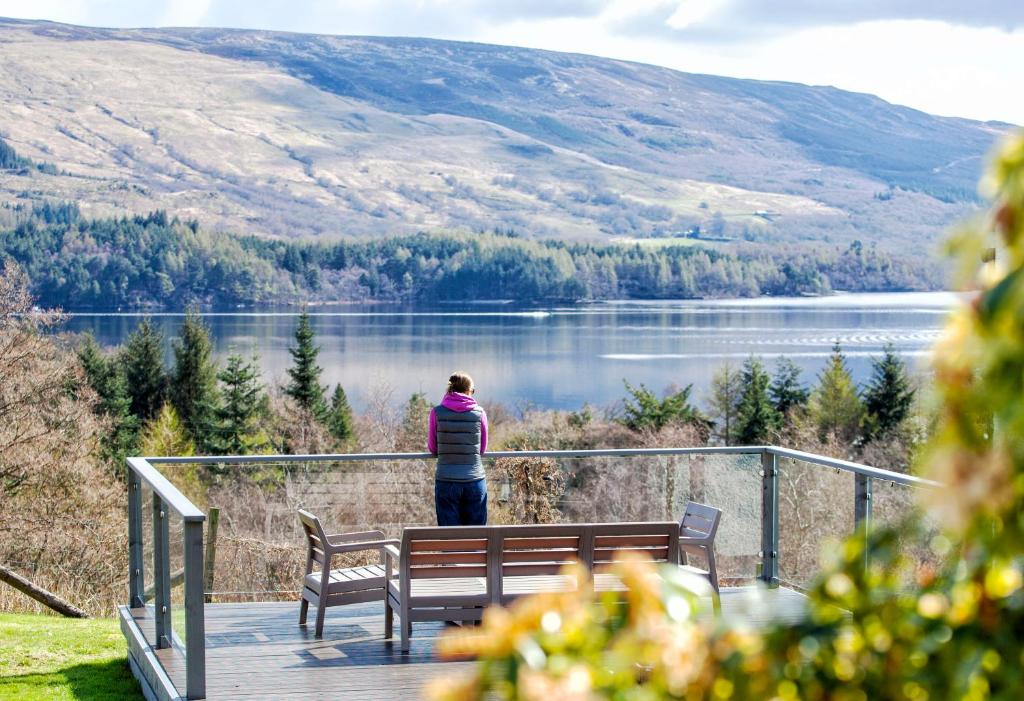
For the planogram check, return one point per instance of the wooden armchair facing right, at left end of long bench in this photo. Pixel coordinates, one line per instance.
(329, 587)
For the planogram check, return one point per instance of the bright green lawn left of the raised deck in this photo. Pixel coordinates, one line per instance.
(47, 658)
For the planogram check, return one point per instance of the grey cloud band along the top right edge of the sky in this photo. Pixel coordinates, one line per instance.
(738, 20)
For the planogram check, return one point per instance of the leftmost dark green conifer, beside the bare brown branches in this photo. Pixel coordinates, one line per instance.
(108, 381)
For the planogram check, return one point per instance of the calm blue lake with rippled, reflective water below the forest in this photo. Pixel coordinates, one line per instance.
(563, 357)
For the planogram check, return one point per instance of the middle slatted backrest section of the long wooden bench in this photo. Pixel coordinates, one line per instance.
(541, 550)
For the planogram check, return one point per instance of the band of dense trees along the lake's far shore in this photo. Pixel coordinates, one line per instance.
(158, 260)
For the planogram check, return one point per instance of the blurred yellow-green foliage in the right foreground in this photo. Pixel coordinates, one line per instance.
(880, 632)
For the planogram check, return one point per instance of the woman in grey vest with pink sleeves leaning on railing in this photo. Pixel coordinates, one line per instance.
(458, 436)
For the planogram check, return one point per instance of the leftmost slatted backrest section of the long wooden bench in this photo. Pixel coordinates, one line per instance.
(444, 553)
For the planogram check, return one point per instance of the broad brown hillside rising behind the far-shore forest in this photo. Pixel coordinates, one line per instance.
(306, 136)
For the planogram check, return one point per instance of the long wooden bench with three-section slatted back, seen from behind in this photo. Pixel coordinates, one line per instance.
(453, 574)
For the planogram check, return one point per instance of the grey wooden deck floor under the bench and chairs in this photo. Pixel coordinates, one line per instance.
(259, 651)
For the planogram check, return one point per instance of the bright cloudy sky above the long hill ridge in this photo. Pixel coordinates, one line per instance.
(954, 58)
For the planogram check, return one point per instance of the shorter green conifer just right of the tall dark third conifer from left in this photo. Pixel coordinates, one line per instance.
(241, 403)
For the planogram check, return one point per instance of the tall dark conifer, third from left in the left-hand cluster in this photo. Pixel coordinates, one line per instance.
(194, 382)
